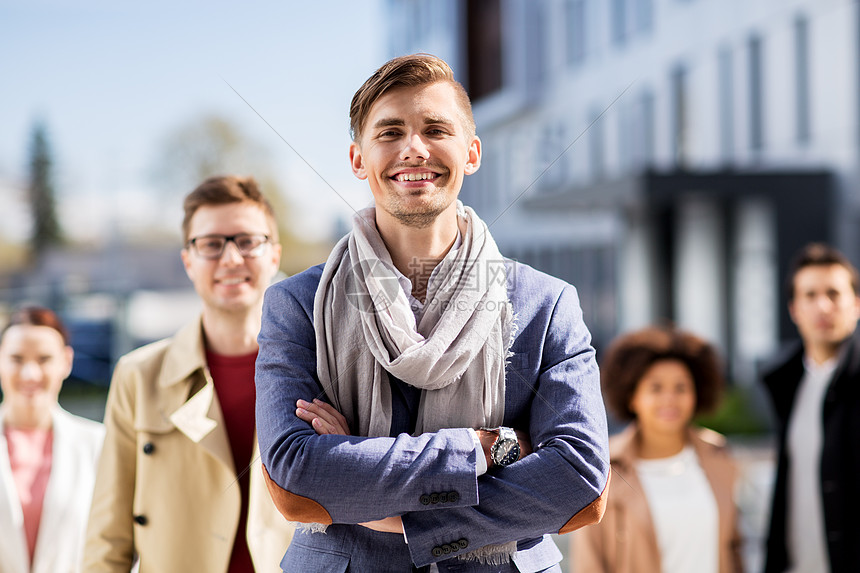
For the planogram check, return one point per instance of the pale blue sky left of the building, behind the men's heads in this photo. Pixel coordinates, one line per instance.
(111, 80)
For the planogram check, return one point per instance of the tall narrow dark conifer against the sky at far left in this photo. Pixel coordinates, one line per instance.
(40, 191)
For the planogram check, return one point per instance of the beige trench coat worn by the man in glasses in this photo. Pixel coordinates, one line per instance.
(166, 488)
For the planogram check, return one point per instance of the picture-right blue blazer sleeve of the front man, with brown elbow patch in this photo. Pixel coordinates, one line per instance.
(562, 485)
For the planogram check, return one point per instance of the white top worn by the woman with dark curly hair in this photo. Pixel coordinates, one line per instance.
(684, 510)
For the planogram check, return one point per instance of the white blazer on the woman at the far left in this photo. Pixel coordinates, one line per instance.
(76, 448)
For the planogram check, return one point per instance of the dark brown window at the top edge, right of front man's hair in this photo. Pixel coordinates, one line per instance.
(484, 47)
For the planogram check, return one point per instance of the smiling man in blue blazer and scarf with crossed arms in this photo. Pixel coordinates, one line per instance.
(428, 404)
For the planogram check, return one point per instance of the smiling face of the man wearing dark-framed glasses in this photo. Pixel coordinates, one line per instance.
(232, 283)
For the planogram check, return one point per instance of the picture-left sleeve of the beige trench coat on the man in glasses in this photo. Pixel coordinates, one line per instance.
(109, 545)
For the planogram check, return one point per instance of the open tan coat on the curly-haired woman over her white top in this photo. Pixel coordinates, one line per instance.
(625, 541)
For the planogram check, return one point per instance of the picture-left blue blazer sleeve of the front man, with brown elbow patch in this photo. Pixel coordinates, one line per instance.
(333, 478)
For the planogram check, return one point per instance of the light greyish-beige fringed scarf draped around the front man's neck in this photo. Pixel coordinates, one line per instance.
(366, 330)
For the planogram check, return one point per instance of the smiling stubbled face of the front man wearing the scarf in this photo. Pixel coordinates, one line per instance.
(414, 152)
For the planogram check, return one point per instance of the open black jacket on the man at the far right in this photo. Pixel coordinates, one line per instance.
(840, 458)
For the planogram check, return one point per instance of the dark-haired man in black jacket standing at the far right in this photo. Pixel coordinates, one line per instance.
(815, 390)
